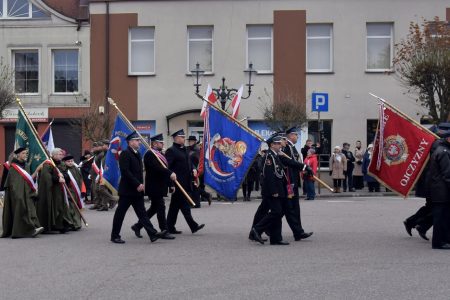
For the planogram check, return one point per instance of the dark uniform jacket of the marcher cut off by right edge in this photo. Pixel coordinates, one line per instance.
(439, 173)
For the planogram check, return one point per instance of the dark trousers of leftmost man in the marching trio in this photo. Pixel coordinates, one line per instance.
(139, 209)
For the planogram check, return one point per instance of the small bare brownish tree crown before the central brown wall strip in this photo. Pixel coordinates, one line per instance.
(289, 111)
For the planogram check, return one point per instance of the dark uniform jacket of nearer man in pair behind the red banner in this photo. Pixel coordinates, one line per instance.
(273, 176)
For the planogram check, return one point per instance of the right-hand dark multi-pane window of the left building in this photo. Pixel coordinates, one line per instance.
(65, 71)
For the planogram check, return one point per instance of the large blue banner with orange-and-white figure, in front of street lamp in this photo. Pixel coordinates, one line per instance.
(229, 151)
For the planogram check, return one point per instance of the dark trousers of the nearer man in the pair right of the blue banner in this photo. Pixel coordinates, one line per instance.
(271, 222)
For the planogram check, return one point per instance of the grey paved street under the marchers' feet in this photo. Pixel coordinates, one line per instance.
(359, 250)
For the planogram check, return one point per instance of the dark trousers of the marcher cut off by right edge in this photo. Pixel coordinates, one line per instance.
(441, 224)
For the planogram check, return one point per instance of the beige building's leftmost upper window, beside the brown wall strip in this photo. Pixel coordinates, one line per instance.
(141, 60)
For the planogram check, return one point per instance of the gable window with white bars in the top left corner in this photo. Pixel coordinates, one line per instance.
(20, 9)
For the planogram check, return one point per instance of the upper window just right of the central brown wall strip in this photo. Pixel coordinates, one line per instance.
(319, 48)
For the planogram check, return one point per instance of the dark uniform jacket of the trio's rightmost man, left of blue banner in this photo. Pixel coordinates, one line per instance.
(180, 163)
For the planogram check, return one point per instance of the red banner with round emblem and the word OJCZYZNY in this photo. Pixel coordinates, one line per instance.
(401, 150)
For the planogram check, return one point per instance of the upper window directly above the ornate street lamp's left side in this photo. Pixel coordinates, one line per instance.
(200, 48)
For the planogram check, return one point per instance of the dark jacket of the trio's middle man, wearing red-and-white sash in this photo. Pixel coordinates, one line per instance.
(157, 177)
